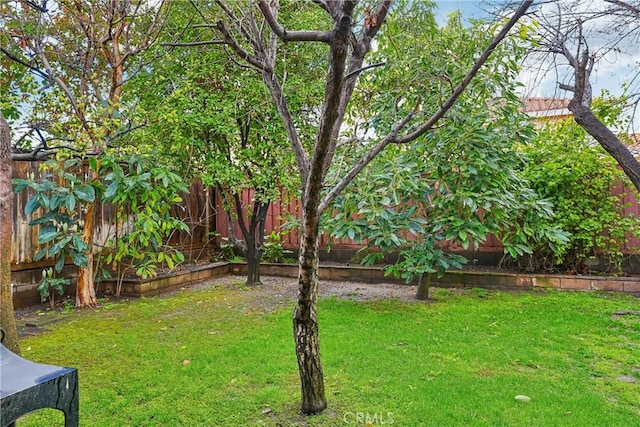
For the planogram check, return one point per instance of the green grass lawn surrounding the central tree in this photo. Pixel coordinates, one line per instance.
(214, 357)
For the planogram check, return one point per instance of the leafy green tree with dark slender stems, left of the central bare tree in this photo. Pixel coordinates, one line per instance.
(223, 131)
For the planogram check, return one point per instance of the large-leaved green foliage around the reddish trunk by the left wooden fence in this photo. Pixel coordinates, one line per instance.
(142, 194)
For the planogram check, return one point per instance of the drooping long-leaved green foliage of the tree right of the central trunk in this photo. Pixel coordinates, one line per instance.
(460, 182)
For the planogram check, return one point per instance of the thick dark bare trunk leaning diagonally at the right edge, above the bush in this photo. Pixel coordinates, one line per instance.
(607, 139)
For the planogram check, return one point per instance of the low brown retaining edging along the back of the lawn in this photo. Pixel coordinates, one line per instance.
(25, 293)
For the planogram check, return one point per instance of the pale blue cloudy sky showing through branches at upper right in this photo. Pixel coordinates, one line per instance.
(611, 71)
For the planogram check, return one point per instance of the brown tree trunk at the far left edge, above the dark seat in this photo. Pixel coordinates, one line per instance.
(7, 315)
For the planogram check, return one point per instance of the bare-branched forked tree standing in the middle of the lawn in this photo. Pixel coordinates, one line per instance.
(346, 30)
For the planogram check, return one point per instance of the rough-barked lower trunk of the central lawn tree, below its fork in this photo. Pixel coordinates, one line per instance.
(305, 323)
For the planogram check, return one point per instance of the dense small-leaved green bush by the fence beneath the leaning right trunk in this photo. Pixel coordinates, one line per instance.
(573, 172)
